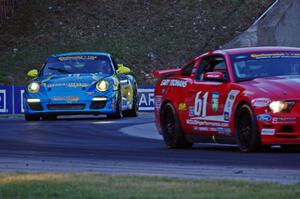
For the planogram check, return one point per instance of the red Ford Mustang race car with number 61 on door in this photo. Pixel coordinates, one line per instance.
(246, 96)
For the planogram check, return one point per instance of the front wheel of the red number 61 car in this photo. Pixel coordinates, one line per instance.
(246, 130)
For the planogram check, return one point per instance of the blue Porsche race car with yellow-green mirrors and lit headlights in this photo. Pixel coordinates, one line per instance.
(80, 83)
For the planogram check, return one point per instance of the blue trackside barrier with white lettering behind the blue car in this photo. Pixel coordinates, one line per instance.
(11, 99)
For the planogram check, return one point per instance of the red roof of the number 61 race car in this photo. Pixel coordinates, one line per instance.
(256, 49)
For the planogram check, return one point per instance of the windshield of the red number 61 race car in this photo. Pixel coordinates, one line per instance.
(265, 64)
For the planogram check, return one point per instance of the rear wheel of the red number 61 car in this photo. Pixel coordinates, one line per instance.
(172, 131)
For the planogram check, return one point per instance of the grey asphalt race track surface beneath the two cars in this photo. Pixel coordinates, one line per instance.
(96, 144)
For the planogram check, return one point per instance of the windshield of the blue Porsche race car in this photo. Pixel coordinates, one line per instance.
(77, 64)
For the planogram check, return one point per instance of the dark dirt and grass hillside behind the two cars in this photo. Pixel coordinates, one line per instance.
(142, 34)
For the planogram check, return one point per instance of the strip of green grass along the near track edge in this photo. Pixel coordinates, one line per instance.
(106, 186)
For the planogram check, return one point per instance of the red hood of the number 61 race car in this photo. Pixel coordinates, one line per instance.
(281, 87)
